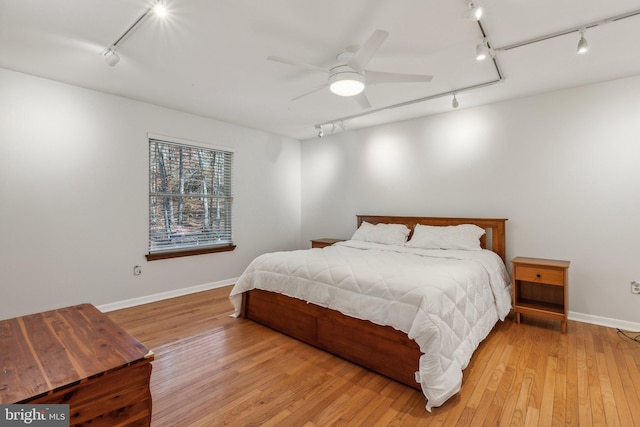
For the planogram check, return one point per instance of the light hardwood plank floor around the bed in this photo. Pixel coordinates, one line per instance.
(213, 370)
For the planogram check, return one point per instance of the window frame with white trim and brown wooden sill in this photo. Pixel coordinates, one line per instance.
(196, 249)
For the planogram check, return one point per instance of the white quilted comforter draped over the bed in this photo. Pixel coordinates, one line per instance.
(446, 300)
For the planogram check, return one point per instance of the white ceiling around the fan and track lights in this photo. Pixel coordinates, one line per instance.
(208, 57)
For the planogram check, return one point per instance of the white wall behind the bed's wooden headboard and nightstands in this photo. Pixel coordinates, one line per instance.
(564, 167)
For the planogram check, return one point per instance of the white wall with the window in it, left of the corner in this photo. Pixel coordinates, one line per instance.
(74, 196)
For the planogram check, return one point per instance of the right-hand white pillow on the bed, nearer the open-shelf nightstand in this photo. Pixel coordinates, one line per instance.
(464, 236)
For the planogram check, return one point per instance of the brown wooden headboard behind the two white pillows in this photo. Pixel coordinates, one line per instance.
(495, 227)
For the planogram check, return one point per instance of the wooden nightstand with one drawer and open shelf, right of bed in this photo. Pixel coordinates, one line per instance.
(540, 288)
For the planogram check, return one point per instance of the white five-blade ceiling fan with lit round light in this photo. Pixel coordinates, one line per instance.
(349, 76)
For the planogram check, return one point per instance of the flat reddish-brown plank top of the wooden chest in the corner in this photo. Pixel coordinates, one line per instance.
(45, 352)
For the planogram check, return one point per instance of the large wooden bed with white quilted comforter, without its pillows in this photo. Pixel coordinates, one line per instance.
(422, 341)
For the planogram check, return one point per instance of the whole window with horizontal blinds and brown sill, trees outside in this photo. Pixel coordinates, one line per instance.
(190, 200)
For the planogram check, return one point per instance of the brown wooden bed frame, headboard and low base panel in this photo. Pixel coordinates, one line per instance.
(382, 349)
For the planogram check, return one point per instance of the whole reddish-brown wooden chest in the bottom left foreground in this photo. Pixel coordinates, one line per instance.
(80, 357)
